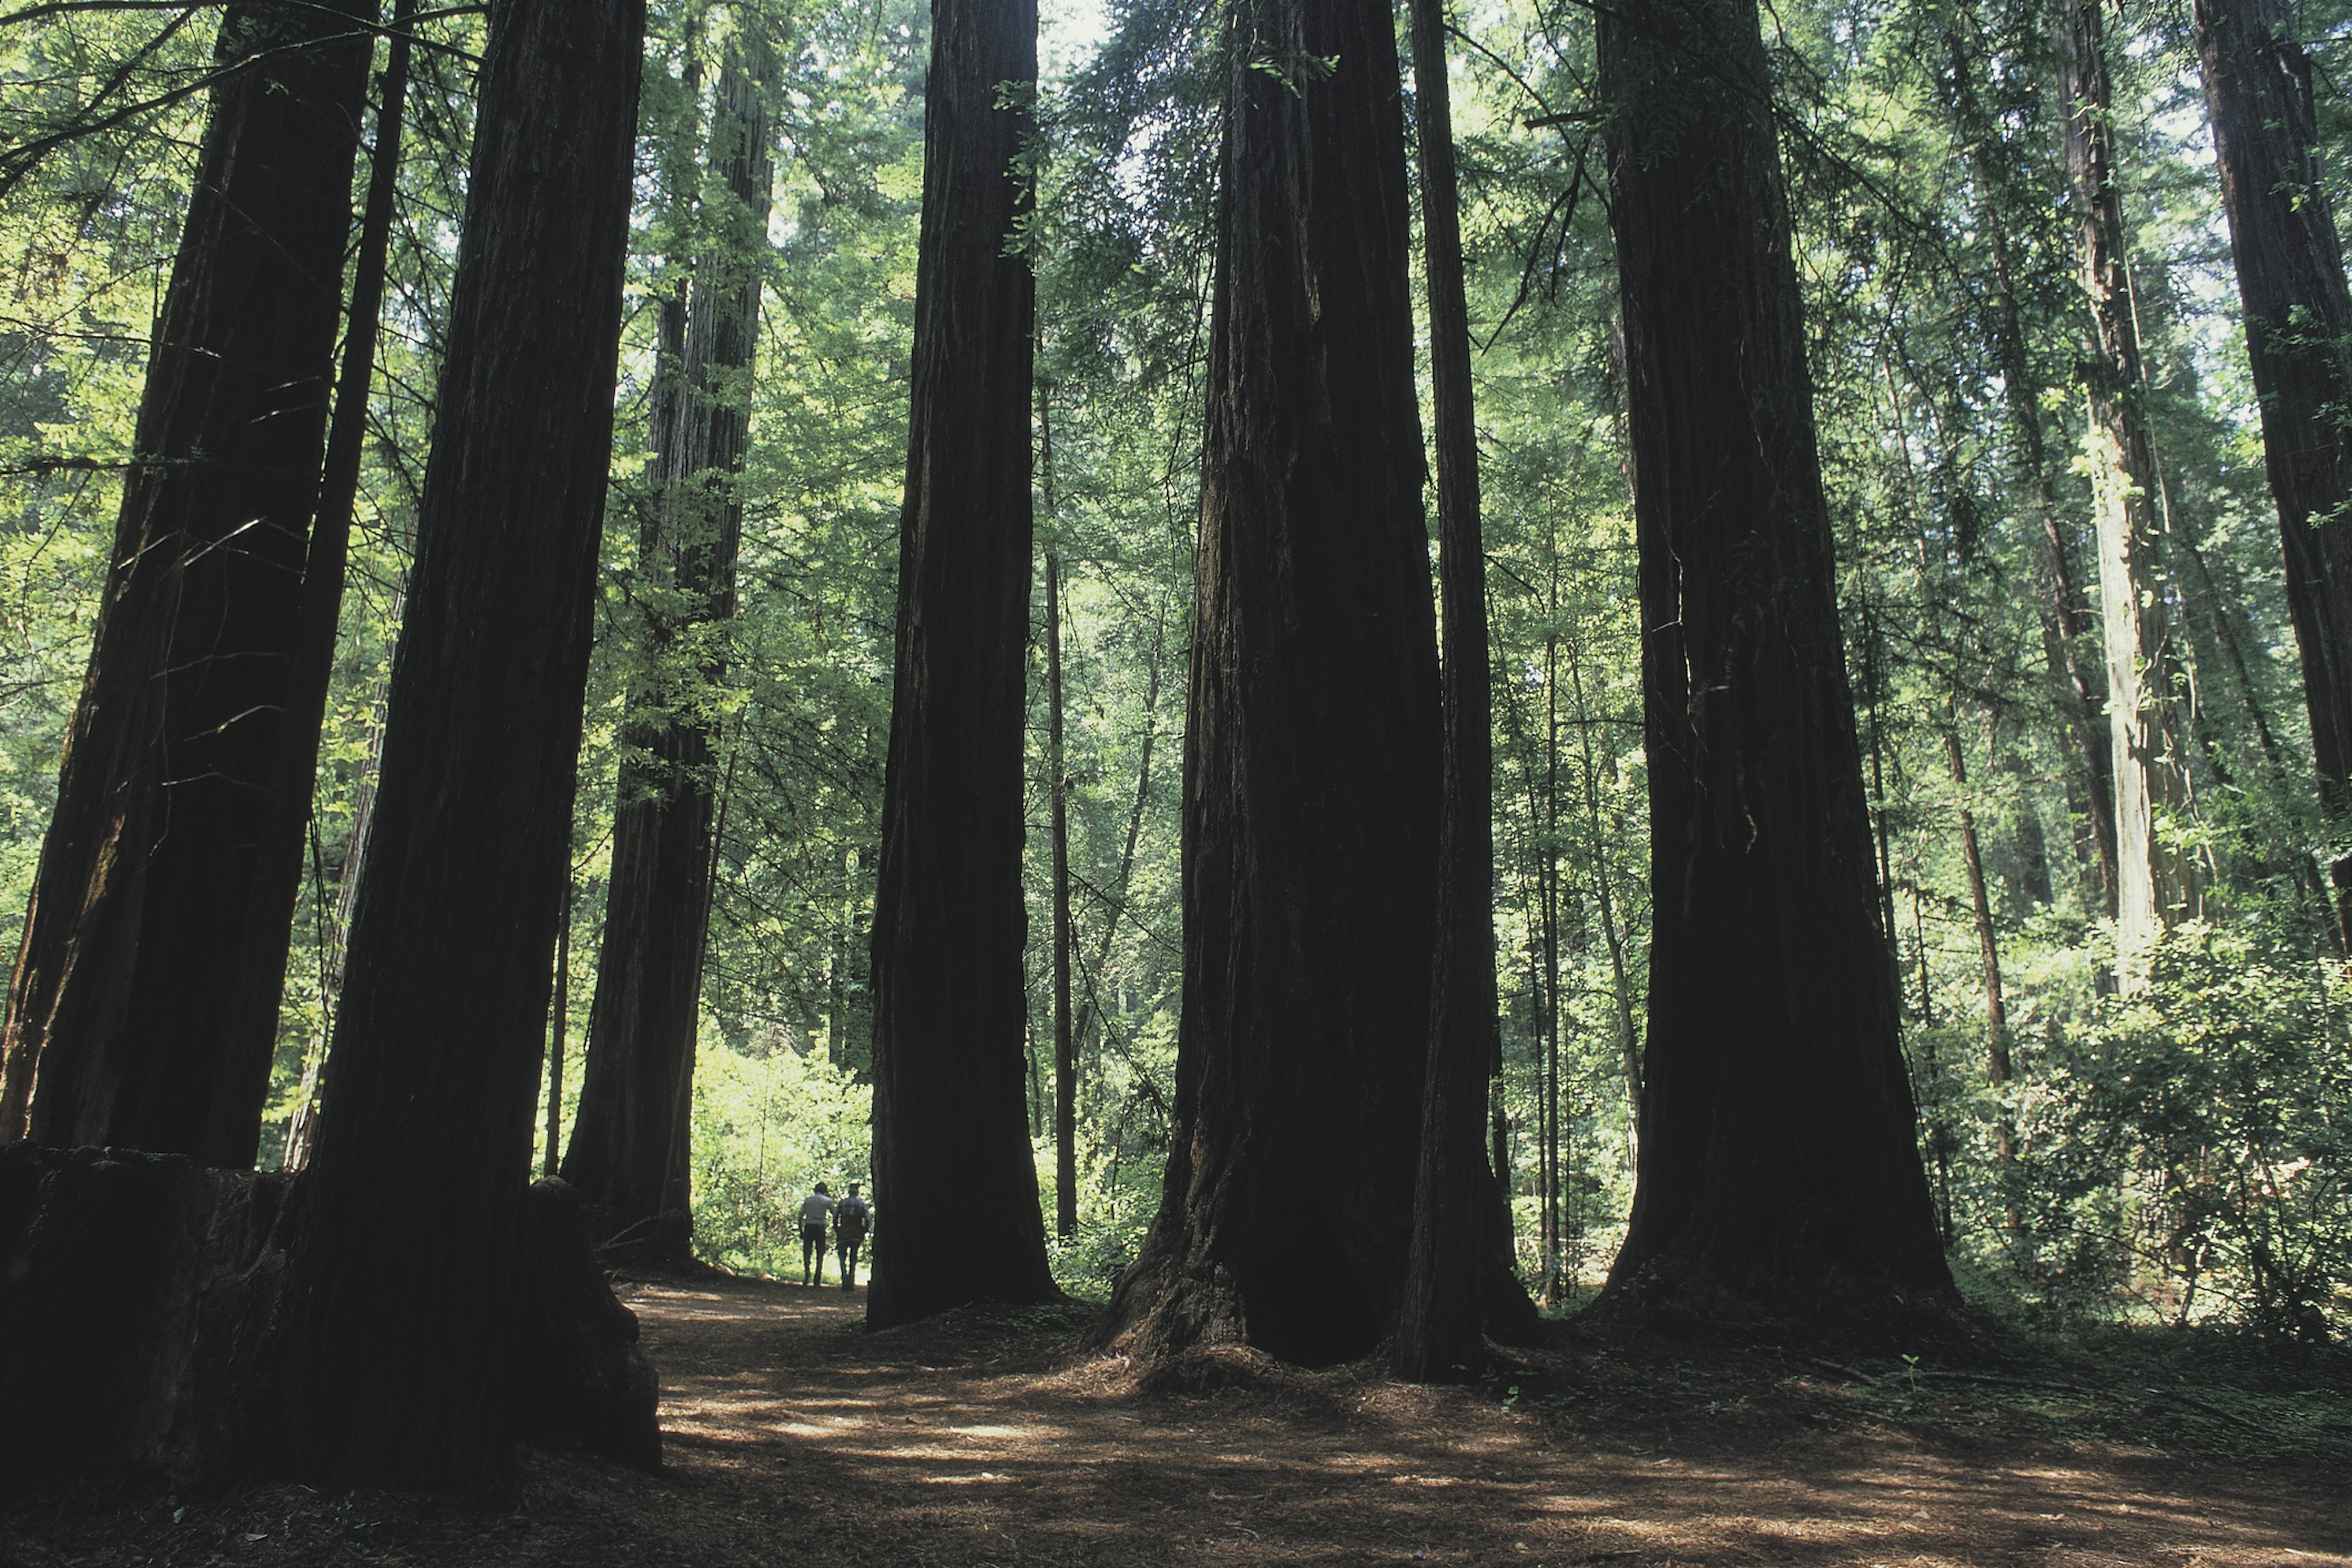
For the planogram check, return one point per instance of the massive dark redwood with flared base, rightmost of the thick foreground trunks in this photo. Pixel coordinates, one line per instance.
(1779, 1153)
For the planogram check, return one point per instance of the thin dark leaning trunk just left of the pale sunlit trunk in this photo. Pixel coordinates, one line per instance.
(2066, 624)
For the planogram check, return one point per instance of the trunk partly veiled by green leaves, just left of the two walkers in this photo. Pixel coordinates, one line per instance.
(632, 1146)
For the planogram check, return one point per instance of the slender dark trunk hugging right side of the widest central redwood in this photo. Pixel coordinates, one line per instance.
(1459, 1275)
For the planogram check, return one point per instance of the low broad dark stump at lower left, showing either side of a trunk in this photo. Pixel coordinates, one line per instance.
(140, 1306)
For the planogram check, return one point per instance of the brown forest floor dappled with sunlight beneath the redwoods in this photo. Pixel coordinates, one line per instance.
(987, 1440)
